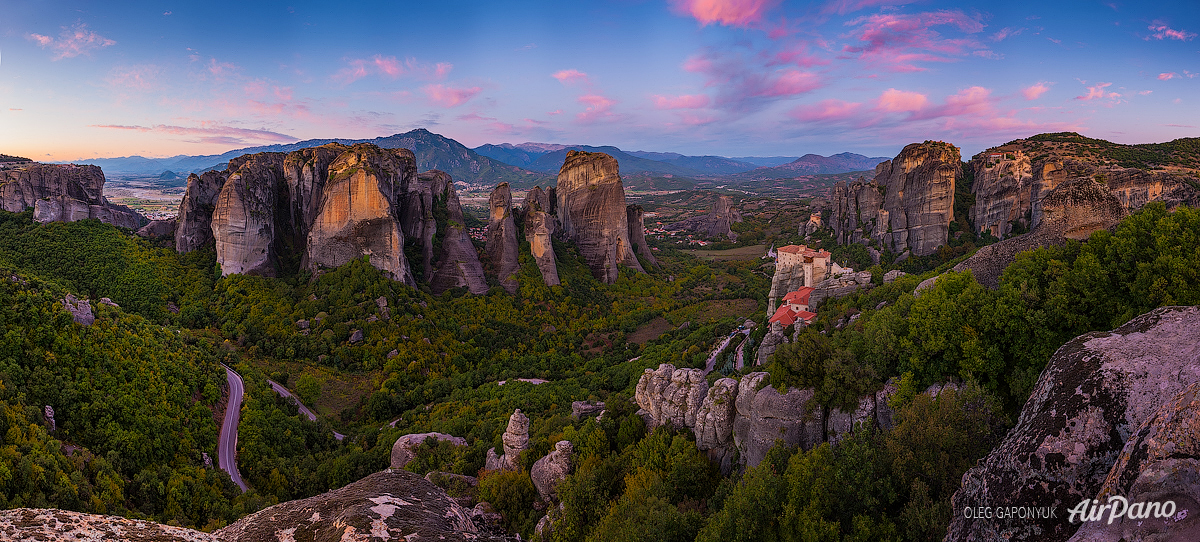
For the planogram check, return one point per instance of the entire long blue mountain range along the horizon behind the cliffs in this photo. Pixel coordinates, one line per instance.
(521, 165)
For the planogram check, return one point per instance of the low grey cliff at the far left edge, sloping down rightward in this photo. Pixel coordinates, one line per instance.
(63, 194)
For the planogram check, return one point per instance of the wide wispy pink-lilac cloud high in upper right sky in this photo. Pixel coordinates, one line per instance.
(897, 41)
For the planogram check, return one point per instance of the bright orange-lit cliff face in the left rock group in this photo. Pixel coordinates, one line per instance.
(359, 212)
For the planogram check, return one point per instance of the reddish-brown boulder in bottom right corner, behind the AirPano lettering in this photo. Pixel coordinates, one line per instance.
(1160, 463)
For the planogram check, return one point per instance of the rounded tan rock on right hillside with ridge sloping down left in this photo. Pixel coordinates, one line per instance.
(1073, 210)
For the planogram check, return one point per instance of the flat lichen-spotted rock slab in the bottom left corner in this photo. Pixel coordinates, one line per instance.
(59, 526)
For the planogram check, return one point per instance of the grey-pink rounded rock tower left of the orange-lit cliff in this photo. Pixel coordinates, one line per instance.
(244, 216)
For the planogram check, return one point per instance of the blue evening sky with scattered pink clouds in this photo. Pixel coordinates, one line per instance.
(82, 80)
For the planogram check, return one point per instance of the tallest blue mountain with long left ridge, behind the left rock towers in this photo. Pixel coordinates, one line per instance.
(434, 152)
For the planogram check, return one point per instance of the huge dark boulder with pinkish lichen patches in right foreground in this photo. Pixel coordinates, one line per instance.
(1090, 402)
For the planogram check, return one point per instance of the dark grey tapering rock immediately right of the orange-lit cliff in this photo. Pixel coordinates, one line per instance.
(447, 244)
